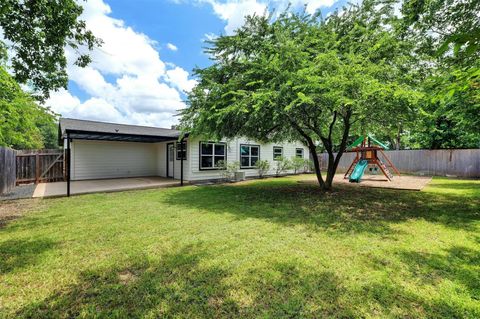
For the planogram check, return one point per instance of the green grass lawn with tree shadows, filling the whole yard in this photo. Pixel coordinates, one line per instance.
(273, 248)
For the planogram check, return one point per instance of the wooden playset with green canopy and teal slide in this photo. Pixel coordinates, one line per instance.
(368, 150)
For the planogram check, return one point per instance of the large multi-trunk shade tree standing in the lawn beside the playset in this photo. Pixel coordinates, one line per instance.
(301, 77)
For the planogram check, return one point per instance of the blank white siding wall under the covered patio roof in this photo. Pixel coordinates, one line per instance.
(106, 159)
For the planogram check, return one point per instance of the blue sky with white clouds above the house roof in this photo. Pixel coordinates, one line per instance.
(142, 70)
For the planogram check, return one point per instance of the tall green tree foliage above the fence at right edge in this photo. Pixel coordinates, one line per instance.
(448, 31)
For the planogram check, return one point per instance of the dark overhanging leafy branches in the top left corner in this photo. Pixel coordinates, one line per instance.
(38, 33)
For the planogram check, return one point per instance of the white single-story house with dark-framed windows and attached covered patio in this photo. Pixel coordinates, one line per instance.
(98, 150)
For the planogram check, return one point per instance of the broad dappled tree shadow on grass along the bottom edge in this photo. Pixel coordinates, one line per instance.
(180, 286)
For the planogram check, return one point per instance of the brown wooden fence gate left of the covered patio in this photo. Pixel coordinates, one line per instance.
(40, 166)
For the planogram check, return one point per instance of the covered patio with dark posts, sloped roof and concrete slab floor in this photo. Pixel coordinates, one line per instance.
(72, 130)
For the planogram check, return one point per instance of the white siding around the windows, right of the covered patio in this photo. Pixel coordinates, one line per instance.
(233, 154)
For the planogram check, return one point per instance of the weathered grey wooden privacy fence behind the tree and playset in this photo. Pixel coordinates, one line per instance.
(456, 162)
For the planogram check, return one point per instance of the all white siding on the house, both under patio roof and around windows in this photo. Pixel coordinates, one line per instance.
(105, 159)
